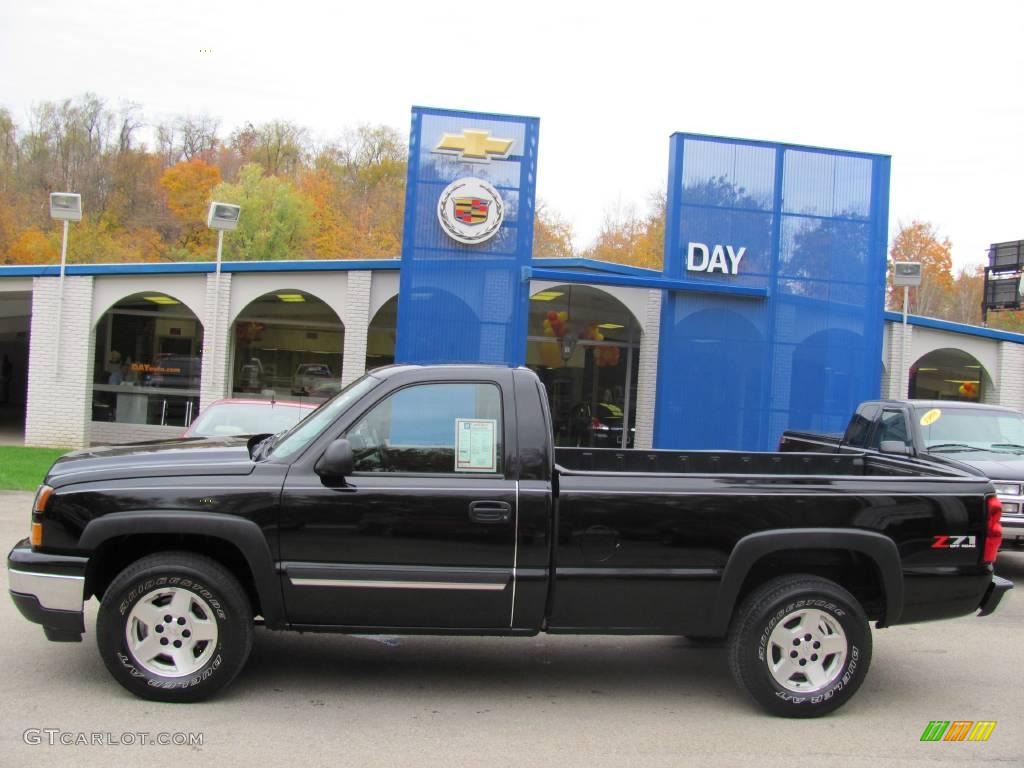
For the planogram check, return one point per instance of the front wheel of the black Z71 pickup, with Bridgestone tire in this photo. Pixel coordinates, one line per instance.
(175, 627)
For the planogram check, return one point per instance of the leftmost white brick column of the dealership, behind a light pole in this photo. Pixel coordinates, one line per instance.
(60, 402)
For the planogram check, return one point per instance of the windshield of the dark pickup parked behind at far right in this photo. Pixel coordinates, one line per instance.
(953, 429)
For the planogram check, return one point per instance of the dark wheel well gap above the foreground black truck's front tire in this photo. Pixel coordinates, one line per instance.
(117, 553)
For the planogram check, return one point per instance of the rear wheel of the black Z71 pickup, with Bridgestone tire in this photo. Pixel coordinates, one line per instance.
(801, 647)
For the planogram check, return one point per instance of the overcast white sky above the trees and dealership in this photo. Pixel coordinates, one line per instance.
(937, 86)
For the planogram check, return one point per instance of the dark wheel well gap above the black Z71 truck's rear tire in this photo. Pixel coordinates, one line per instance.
(856, 572)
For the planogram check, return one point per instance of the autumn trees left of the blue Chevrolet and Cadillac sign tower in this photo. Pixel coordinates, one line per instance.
(147, 187)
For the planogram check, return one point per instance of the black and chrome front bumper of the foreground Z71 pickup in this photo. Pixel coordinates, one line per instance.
(49, 590)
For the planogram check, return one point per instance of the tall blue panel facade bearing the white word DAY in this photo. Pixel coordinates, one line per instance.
(807, 226)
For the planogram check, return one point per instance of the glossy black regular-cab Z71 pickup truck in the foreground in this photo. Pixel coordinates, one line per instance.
(431, 500)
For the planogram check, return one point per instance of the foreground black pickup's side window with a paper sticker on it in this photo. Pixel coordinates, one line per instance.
(432, 429)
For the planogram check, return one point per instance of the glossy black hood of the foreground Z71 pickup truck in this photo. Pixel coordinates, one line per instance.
(189, 457)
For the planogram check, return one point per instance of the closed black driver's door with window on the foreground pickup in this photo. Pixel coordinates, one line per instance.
(421, 534)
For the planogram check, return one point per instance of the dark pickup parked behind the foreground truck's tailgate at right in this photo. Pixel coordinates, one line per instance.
(987, 441)
